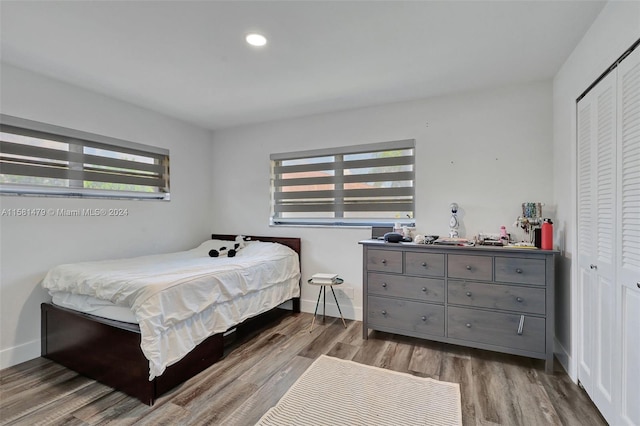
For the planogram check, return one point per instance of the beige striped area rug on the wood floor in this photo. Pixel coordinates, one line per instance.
(337, 392)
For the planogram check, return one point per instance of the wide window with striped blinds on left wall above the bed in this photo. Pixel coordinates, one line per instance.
(42, 159)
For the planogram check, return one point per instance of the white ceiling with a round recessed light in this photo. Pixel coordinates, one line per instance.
(188, 59)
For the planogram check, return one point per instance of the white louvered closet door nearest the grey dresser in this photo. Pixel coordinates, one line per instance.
(599, 358)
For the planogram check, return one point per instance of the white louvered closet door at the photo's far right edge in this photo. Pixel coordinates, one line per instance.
(628, 255)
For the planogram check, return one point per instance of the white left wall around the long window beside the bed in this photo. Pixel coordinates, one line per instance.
(31, 245)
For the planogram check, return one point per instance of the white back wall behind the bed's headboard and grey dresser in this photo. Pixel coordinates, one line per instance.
(488, 151)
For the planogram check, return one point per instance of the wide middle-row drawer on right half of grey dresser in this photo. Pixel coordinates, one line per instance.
(496, 296)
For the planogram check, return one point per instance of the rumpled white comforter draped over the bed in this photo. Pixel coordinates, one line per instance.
(180, 299)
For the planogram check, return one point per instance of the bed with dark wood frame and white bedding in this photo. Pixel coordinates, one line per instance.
(115, 351)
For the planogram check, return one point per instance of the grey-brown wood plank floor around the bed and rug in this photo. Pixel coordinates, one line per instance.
(496, 389)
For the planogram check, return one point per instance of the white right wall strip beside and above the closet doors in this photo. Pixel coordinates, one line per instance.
(615, 30)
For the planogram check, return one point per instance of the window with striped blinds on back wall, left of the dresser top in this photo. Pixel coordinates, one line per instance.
(356, 185)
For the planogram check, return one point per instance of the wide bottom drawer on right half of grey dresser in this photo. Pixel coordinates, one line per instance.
(496, 328)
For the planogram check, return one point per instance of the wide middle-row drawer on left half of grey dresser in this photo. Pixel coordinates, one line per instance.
(419, 289)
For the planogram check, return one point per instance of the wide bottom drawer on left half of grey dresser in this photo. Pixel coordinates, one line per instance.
(405, 316)
